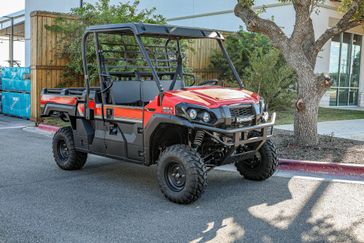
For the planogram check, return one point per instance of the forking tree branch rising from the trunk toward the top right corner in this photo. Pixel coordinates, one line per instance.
(345, 23)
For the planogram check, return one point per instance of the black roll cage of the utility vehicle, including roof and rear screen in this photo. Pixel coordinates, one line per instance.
(139, 30)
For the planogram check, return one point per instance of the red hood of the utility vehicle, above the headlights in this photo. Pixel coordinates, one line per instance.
(213, 96)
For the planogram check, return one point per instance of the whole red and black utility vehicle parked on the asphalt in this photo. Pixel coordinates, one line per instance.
(148, 109)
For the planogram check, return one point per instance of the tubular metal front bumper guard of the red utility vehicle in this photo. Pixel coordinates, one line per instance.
(240, 136)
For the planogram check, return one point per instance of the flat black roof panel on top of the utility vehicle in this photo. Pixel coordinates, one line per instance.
(167, 31)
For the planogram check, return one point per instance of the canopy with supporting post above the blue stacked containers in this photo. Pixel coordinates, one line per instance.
(12, 29)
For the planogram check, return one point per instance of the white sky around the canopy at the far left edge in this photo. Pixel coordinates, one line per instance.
(8, 7)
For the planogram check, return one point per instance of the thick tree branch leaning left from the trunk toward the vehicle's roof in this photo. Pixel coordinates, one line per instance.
(256, 24)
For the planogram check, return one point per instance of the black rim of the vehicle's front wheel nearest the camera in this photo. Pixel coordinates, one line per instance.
(175, 176)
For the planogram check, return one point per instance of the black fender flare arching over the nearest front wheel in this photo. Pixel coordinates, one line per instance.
(153, 123)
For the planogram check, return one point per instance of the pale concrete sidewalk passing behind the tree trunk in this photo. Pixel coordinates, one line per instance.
(349, 129)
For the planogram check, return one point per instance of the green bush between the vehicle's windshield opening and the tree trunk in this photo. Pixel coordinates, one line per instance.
(261, 67)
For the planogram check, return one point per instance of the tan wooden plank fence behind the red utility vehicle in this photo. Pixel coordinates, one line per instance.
(48, 66)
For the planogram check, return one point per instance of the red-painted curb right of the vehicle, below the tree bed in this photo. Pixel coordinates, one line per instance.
(322, 167)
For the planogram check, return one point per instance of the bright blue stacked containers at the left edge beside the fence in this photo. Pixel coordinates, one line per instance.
(15, 85)
